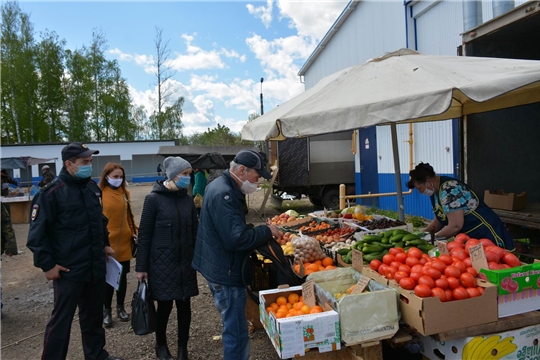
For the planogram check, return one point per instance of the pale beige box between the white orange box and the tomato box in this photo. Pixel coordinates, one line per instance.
(367, 316)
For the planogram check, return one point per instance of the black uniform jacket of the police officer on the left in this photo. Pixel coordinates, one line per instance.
(68, 228)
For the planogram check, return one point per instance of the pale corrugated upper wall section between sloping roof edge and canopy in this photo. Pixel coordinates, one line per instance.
(373, 29)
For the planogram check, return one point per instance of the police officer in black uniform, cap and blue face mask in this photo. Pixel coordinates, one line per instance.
(69, 238)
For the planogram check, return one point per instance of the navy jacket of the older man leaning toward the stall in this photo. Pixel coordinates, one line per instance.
(224, 239)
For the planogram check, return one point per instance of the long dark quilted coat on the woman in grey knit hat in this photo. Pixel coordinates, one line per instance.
(167, 234)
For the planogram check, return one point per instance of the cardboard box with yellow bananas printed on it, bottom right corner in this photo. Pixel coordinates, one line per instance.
(509, 345)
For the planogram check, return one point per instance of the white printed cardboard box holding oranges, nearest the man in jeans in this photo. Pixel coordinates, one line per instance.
(292, 336)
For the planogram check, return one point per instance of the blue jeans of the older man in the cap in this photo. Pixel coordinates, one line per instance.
(231, 303)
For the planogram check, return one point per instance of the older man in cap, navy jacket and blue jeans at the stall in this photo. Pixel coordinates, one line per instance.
(224, 239)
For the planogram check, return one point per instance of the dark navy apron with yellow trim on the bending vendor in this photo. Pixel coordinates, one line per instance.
(481, 222)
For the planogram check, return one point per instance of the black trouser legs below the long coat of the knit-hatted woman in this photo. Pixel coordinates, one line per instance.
(183, 316)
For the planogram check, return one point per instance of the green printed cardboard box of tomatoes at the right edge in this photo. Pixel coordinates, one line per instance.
(513, 280)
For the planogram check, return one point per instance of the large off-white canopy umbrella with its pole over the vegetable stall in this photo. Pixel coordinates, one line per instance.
(401, 87)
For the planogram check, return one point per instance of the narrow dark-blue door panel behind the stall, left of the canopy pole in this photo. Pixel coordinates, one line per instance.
(369, 173)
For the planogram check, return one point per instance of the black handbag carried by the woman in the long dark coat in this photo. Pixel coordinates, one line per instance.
(143, 311)
